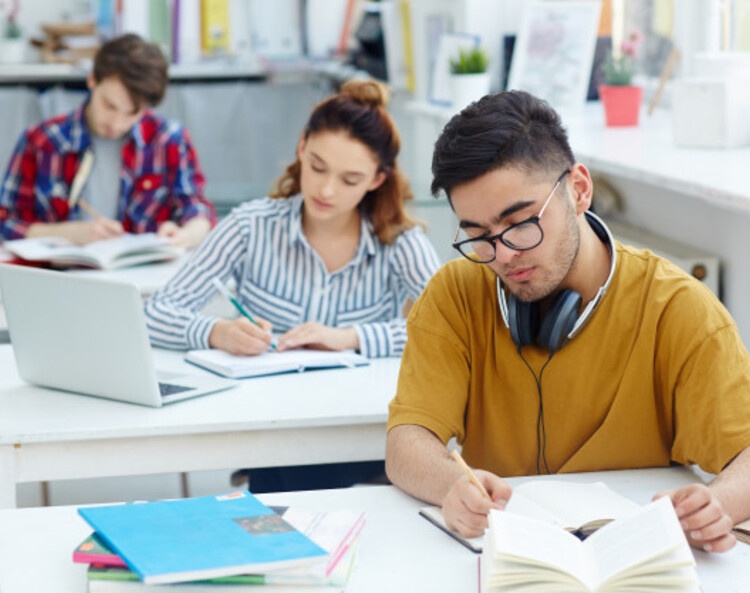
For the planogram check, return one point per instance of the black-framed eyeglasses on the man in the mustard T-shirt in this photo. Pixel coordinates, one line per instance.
(522, 236)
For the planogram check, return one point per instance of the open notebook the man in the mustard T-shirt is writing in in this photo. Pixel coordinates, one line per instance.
(580, 508)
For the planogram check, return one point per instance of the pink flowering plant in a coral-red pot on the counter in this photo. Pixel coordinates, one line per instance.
(620, 97)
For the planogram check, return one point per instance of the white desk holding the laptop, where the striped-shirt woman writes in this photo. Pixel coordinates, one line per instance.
(313, 417)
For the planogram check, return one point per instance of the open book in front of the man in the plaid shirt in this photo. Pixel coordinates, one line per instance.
(120, 252)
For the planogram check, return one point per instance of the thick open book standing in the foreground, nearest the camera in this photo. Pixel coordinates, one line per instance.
(645, 551)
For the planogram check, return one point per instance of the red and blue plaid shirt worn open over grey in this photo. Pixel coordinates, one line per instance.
(160, 178)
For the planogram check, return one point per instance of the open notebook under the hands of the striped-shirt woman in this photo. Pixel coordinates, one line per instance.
(272, 363)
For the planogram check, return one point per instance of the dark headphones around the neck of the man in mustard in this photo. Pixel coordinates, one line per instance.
(561, 322)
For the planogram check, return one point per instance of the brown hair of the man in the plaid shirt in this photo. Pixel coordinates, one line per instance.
(140, 66)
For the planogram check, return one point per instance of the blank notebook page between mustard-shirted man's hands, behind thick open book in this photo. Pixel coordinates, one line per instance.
(570, 504)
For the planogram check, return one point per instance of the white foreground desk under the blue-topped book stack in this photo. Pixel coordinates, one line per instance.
(399, 550)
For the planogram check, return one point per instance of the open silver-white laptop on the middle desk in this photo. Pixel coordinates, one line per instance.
(88, 335)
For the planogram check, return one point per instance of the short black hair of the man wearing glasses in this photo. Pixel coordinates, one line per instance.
(512, 128)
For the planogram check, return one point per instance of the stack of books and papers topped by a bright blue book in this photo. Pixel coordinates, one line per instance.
(232, 543)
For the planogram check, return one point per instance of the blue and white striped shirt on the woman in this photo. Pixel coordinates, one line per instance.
(281, 278)
